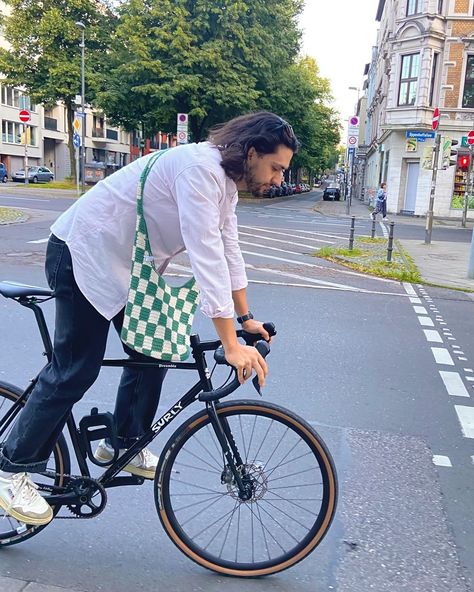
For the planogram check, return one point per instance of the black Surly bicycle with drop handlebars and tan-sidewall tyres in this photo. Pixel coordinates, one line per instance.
(244, 488)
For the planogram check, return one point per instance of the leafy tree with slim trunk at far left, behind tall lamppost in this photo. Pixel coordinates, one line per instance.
(44, 56)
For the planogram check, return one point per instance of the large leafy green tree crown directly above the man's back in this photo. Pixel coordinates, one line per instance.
(211, 59)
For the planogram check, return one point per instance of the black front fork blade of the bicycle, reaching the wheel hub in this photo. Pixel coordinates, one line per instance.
(231, 454)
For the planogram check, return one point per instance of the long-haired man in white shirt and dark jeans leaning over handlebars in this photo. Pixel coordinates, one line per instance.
(189, 203)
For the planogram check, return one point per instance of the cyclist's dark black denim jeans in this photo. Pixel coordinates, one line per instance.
(79, 345)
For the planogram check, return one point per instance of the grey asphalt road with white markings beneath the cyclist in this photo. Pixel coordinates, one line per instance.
(365, 360)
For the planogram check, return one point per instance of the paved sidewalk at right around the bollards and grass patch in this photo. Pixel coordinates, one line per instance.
(442, 263)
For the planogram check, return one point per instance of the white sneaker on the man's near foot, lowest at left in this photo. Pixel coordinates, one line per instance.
(20, 499)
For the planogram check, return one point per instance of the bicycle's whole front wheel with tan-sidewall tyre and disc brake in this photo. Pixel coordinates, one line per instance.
(294, 490)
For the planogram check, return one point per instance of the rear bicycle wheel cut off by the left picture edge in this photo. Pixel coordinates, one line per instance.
(59, 463)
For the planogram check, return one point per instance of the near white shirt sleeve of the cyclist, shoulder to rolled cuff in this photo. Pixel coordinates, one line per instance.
(198, 194)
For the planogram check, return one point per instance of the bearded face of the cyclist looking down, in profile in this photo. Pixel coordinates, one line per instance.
(264, 170)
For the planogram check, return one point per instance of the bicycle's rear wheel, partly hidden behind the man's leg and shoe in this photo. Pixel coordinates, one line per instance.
(12, 531)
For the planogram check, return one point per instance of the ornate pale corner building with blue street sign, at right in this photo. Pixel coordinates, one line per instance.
(424, 58)
